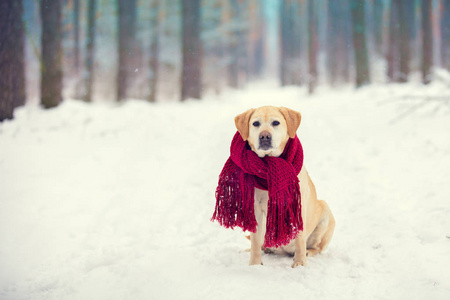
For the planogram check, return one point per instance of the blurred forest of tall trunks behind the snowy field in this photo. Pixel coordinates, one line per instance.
(162, 50)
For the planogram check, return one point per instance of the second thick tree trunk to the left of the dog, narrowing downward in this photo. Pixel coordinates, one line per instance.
(126, 45)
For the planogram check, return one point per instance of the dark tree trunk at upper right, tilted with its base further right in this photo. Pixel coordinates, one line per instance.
(359, 42)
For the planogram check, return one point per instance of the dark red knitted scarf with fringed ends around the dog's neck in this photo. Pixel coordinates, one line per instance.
(244, 171)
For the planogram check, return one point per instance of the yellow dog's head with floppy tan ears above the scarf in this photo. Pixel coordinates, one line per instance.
(267, 129)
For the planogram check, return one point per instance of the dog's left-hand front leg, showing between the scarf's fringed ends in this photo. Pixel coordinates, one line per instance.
(257, 238)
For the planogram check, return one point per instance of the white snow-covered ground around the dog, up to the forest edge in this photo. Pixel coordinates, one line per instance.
(113, 202)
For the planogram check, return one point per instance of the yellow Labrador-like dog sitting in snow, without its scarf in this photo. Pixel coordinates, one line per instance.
(267, 130)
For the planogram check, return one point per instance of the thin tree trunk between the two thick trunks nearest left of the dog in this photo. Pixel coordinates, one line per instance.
(154, 53)
